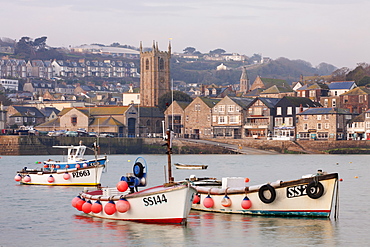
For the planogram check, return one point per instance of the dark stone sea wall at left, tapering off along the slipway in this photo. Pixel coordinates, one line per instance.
(43, 145)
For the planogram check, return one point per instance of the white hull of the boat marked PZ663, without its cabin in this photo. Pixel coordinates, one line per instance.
(89, 176)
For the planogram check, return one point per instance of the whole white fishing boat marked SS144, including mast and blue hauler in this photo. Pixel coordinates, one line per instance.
(169, 203)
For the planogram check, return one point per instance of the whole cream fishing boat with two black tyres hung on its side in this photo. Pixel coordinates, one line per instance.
(314, 195)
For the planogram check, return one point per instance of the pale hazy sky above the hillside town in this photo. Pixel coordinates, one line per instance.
(316, 31)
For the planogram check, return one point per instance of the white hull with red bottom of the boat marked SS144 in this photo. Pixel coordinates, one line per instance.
(169, 205)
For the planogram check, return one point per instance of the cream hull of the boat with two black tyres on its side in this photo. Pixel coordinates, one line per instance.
(290, 199)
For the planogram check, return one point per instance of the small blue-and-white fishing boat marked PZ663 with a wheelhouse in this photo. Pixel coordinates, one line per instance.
(75, 171)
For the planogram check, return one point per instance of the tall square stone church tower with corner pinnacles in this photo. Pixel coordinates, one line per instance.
(154, 75)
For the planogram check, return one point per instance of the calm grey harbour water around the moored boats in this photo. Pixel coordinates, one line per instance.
(43, 216)
